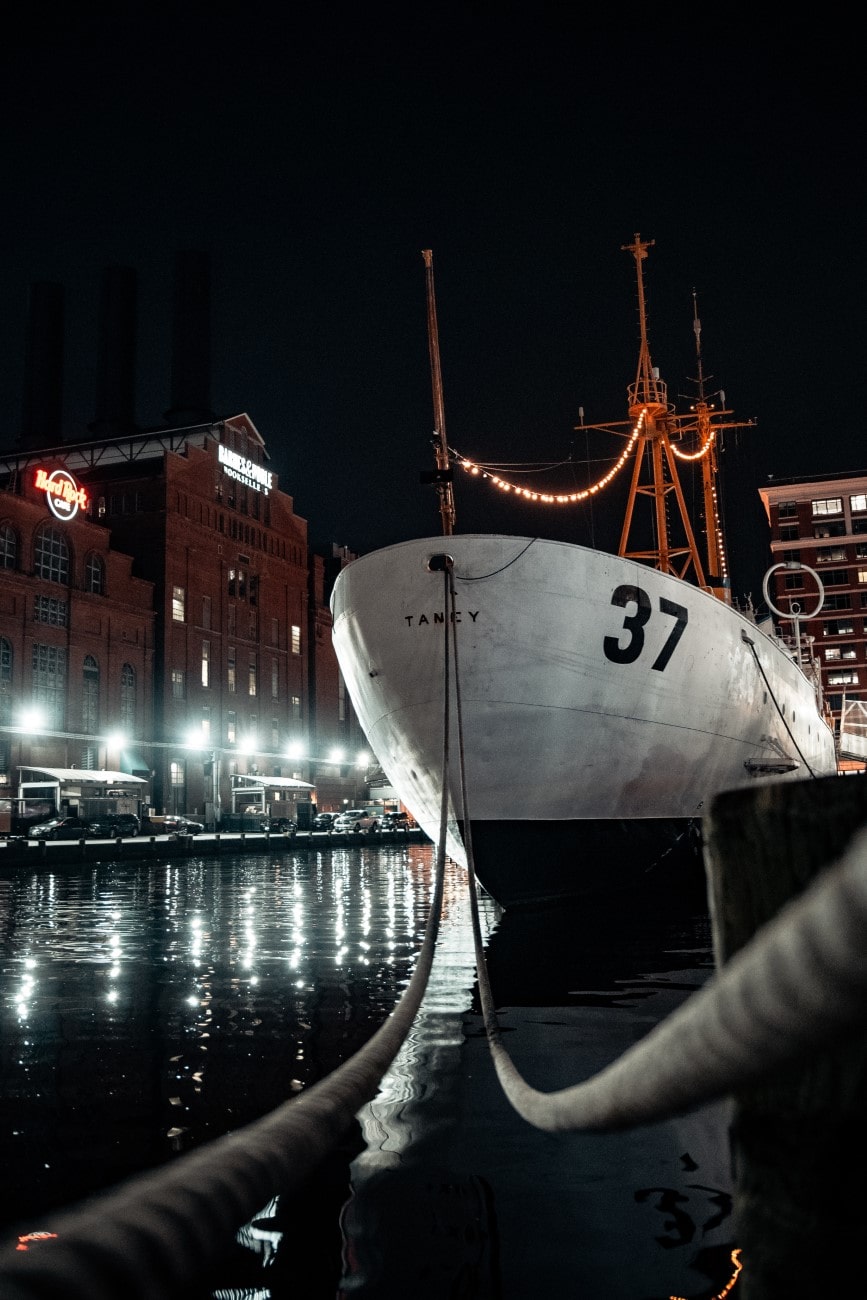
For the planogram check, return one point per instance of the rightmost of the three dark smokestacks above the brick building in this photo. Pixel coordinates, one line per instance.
(192, 343)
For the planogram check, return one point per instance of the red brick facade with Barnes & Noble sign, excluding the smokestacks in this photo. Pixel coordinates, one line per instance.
(214, 599)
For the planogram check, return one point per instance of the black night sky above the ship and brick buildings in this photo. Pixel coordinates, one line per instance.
(314, 159)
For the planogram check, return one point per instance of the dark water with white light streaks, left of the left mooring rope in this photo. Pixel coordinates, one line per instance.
(149, 1008)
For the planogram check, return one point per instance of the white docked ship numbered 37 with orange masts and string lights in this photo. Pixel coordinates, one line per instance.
(562, 716)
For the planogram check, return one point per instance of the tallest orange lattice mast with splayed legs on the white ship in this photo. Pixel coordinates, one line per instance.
(652, 413)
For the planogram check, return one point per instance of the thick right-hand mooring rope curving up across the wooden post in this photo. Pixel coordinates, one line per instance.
(796, 986)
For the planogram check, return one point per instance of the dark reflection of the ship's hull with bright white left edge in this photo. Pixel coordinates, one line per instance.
(454, 1195)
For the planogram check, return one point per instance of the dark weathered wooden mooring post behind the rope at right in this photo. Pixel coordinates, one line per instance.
(800, 1137)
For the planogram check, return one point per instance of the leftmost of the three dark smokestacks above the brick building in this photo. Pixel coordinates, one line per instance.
(42, 405)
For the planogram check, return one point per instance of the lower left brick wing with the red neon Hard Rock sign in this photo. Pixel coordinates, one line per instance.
(76, 631)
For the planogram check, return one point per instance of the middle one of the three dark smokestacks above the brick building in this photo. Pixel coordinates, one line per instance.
(116, 375)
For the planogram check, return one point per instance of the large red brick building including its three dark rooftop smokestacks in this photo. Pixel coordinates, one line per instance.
(185, 571)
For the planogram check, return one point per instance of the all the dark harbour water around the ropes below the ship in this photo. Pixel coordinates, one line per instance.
(151, 1008)
